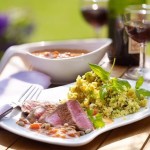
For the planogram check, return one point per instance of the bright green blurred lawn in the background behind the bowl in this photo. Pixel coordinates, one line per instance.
(54, 20)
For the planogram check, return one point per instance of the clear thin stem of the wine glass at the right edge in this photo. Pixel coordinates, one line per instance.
(142, 56)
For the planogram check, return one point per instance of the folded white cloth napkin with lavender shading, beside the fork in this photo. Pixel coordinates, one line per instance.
(14, 86)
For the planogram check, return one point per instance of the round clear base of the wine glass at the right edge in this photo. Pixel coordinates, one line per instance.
(135, 72)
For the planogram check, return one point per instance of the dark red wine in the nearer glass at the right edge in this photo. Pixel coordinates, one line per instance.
(138, 31)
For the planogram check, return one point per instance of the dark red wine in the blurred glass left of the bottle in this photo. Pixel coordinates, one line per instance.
(97, 17)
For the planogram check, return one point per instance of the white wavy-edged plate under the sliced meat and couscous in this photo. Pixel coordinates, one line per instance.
(53, 95)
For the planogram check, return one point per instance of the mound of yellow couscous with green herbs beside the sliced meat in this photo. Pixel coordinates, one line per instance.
(105, 96)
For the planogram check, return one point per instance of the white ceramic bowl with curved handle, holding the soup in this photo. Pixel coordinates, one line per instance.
(63, 70)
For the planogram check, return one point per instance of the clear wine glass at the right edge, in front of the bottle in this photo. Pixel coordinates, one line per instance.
(137, 26)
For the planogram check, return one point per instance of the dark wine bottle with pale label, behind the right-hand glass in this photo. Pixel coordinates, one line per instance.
(123, 49)
